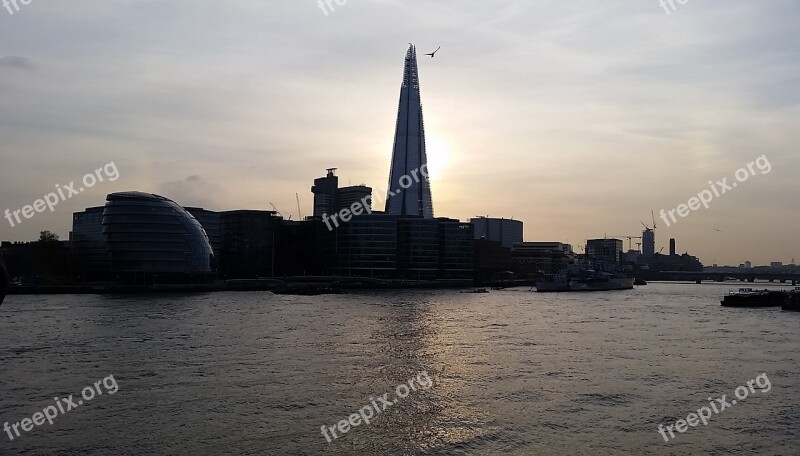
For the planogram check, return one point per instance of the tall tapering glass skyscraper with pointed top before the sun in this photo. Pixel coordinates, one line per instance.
(409, 161)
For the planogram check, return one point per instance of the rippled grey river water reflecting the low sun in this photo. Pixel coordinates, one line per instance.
(513, 372)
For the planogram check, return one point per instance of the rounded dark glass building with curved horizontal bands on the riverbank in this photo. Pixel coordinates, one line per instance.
(151, 239)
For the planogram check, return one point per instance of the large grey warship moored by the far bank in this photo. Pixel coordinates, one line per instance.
(585, 277)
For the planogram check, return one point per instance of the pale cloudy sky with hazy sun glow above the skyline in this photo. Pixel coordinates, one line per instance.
(578, 118)
